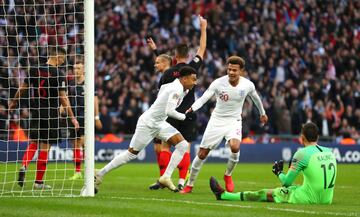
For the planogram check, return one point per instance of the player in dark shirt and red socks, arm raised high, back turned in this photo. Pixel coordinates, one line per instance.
(186, 128)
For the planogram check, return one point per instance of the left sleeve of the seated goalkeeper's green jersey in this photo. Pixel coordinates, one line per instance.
(298, 163)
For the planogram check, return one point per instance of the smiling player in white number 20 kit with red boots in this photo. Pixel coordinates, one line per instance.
(225, 121)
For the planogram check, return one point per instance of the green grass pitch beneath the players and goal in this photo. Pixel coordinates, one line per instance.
(124, 192)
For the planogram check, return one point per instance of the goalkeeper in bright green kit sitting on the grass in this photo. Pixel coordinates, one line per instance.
(318, 165)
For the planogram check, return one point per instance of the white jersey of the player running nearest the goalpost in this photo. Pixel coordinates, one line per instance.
(168, 99)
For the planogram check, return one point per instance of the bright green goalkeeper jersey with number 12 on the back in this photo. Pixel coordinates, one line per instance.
(319, 167)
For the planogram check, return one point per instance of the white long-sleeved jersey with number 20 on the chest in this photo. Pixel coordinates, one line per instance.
(229, 99)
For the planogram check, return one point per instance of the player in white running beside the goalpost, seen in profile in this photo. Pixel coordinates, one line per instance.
(152, 123)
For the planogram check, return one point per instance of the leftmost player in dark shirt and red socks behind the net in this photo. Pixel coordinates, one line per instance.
(47, 87)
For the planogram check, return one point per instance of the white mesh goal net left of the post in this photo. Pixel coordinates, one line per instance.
(42, 55)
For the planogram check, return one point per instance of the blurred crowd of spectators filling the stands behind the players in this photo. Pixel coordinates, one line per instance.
(303, 56)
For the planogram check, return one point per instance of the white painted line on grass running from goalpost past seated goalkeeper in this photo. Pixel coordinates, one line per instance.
(233, 205)
